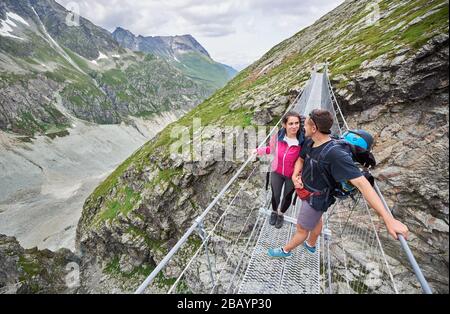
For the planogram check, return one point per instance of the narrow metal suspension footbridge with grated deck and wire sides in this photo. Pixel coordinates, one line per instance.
(225, 249)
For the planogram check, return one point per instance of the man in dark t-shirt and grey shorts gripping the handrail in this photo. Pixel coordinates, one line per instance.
(340, 166)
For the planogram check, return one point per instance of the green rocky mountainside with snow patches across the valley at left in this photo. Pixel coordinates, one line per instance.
(98, 81)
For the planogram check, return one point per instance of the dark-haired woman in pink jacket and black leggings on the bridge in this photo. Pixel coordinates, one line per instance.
(286, 147)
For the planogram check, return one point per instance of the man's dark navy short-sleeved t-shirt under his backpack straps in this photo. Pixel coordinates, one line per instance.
(337, 163)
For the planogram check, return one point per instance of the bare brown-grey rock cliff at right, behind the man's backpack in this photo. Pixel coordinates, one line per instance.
(406, 106)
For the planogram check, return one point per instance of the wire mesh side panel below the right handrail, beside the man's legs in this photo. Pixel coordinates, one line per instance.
(357, 259)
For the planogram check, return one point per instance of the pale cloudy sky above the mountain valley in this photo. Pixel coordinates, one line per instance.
(234, 32)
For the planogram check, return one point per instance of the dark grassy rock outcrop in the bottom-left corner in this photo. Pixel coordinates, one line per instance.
(33, 271)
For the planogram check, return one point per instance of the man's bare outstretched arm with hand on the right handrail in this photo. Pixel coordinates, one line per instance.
(393, 225)
